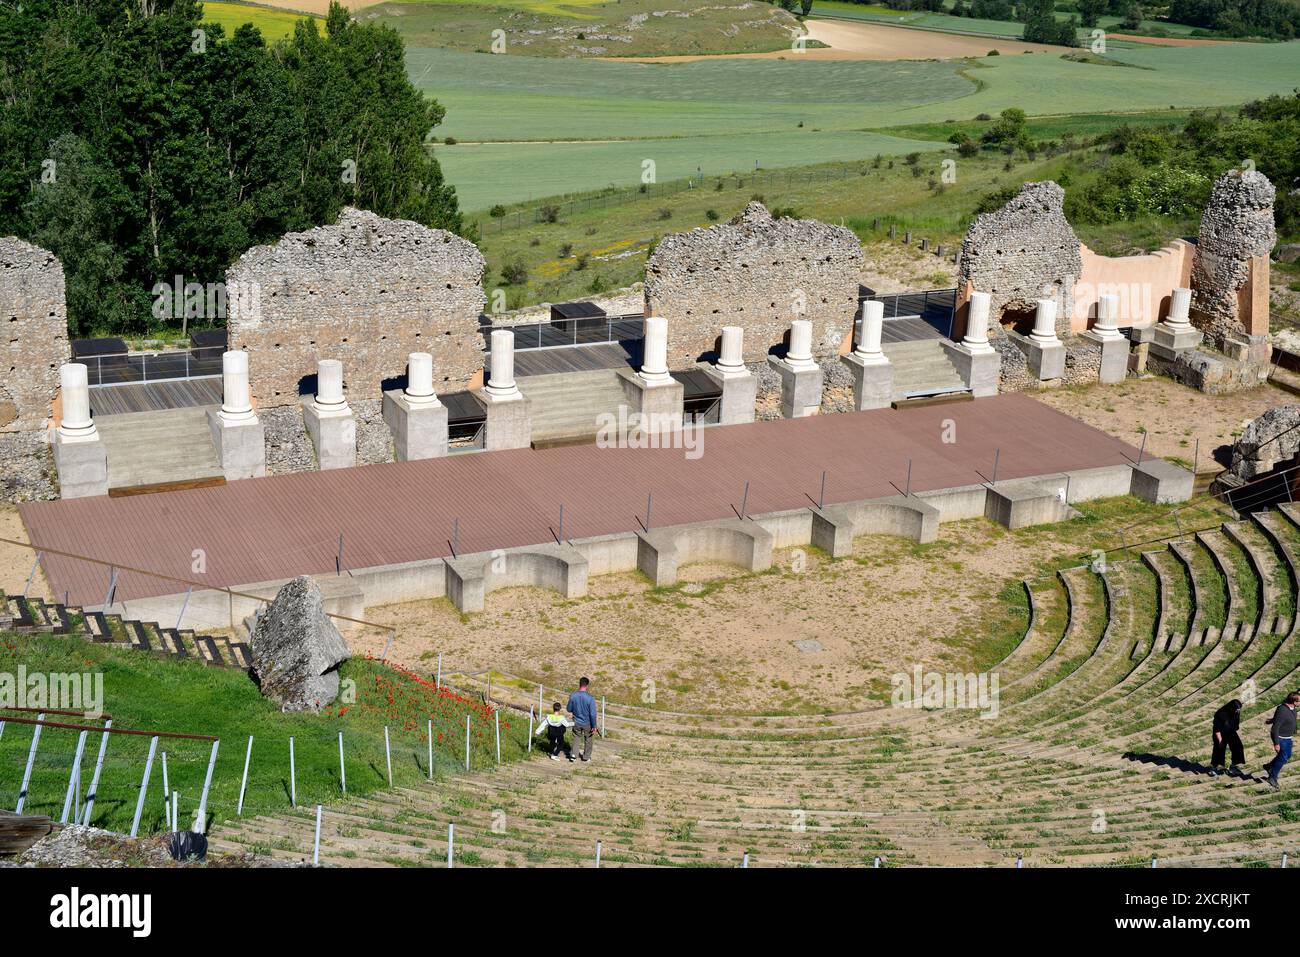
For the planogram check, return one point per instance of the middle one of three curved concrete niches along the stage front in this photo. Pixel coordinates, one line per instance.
(735, 542)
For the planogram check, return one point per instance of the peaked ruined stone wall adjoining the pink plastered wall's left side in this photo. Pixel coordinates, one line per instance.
(1024, 253)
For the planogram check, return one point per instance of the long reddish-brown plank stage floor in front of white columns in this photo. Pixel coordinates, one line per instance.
(278, 527)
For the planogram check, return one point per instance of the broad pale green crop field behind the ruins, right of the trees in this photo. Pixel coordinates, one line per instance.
(727, 115)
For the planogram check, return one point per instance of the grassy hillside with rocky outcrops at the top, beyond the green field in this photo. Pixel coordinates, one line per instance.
(591, 28)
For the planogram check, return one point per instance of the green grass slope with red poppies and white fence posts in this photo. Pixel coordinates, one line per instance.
(150, 692)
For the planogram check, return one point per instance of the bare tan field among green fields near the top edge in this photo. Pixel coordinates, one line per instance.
(876, 42)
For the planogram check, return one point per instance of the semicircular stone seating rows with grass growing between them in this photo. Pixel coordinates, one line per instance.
(1098, 752)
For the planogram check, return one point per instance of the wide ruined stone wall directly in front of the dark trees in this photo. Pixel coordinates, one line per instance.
(367, 292)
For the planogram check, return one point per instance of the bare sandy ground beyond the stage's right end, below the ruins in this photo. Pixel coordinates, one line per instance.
(1173, 417)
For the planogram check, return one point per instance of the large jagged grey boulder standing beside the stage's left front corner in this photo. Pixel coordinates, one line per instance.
(297, 649)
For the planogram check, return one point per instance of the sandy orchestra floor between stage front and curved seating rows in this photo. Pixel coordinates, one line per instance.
(727, 640)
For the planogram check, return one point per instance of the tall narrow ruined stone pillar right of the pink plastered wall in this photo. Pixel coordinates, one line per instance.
(1230, 271)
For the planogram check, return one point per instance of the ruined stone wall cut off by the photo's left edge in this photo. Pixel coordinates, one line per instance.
(36, 334)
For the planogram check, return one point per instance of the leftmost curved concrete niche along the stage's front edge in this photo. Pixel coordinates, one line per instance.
(558, 568)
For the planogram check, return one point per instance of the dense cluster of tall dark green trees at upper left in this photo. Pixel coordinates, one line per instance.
(179, 148)
